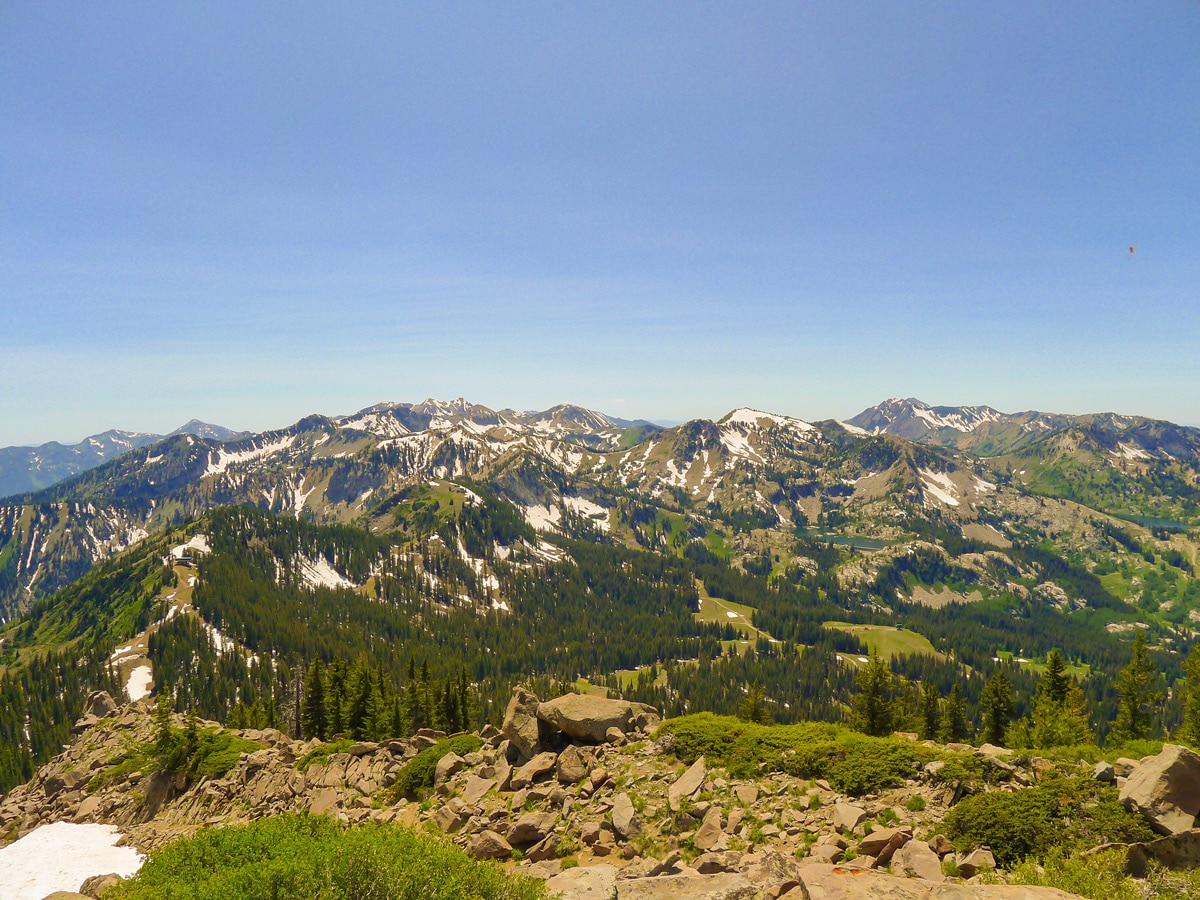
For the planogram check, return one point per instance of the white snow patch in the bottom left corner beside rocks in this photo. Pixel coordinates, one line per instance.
(62, 857)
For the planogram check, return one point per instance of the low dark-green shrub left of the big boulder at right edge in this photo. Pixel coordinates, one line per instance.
(1066, 812)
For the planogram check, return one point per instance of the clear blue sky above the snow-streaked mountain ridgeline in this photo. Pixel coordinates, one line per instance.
(248, 213)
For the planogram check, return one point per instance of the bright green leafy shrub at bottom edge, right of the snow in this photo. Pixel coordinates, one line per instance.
(314, 859)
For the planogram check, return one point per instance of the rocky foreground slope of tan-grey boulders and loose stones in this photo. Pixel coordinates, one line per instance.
(581, 781)
